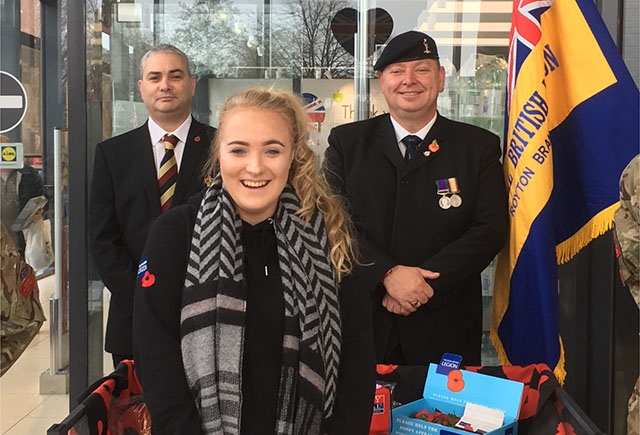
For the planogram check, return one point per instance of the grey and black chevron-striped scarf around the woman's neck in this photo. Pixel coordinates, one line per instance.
(213, 317)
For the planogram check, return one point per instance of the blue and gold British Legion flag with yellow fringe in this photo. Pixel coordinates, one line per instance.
(571, 128)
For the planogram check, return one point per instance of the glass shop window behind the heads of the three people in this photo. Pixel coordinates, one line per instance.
(309, 46)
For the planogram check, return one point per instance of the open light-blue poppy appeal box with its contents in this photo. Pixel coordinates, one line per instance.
(484, 404)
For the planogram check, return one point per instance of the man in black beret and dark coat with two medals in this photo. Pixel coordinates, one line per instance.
(431, 212)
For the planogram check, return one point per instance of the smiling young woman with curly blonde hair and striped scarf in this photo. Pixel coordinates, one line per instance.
(246, 318)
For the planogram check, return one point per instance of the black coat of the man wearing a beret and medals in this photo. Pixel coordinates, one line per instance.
(396, 212)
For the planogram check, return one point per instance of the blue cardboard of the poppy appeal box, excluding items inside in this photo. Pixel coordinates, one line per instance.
(450, 392)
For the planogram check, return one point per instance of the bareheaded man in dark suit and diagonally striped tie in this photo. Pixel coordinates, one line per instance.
(125, 197)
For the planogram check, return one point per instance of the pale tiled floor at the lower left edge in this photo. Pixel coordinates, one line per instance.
(23, 411)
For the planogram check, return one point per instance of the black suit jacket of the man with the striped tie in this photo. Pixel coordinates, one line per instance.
(124, 201)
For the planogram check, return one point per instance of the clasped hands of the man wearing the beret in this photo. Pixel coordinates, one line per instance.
(407, 289)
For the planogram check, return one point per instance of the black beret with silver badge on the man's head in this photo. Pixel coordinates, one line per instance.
(411, 45)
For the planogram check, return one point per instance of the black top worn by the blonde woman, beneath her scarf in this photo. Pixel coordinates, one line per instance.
(157, 335)
